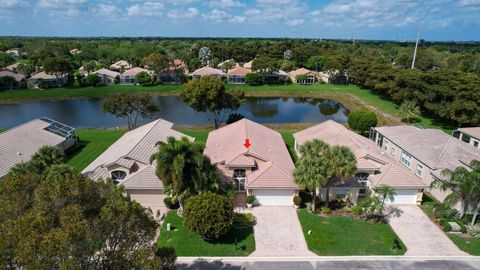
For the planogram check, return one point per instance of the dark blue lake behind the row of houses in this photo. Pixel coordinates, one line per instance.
(87, 113)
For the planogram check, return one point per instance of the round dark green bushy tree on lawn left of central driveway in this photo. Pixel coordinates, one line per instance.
(209, 215)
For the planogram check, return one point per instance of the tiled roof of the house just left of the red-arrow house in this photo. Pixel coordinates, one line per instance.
(135, 146)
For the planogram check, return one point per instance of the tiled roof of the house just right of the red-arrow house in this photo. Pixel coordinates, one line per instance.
(369, 156)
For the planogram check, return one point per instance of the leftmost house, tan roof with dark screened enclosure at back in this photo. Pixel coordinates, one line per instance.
(20, 143)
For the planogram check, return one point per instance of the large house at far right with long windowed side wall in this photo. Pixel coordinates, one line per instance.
(424, 152)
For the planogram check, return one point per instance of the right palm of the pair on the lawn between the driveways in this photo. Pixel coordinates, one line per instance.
(341, 163)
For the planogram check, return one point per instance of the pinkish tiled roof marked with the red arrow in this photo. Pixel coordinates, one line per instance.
(225, 145)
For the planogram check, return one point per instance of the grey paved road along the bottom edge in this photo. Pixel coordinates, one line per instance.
(334, 264)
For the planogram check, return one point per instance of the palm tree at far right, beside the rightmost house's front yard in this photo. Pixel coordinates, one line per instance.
(460, 184)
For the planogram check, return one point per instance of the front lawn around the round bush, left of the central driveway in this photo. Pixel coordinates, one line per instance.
(187, 243)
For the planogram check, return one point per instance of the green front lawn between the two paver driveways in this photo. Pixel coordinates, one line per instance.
(344, 236)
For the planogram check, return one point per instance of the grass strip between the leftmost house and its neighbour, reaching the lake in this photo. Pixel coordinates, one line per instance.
(92, 143)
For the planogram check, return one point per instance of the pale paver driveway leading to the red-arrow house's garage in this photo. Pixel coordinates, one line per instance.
(278, 233)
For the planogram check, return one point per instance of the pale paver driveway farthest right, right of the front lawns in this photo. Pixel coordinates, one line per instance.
(420, 234)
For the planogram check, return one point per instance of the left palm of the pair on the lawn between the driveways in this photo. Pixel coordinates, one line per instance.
(310, 168)
